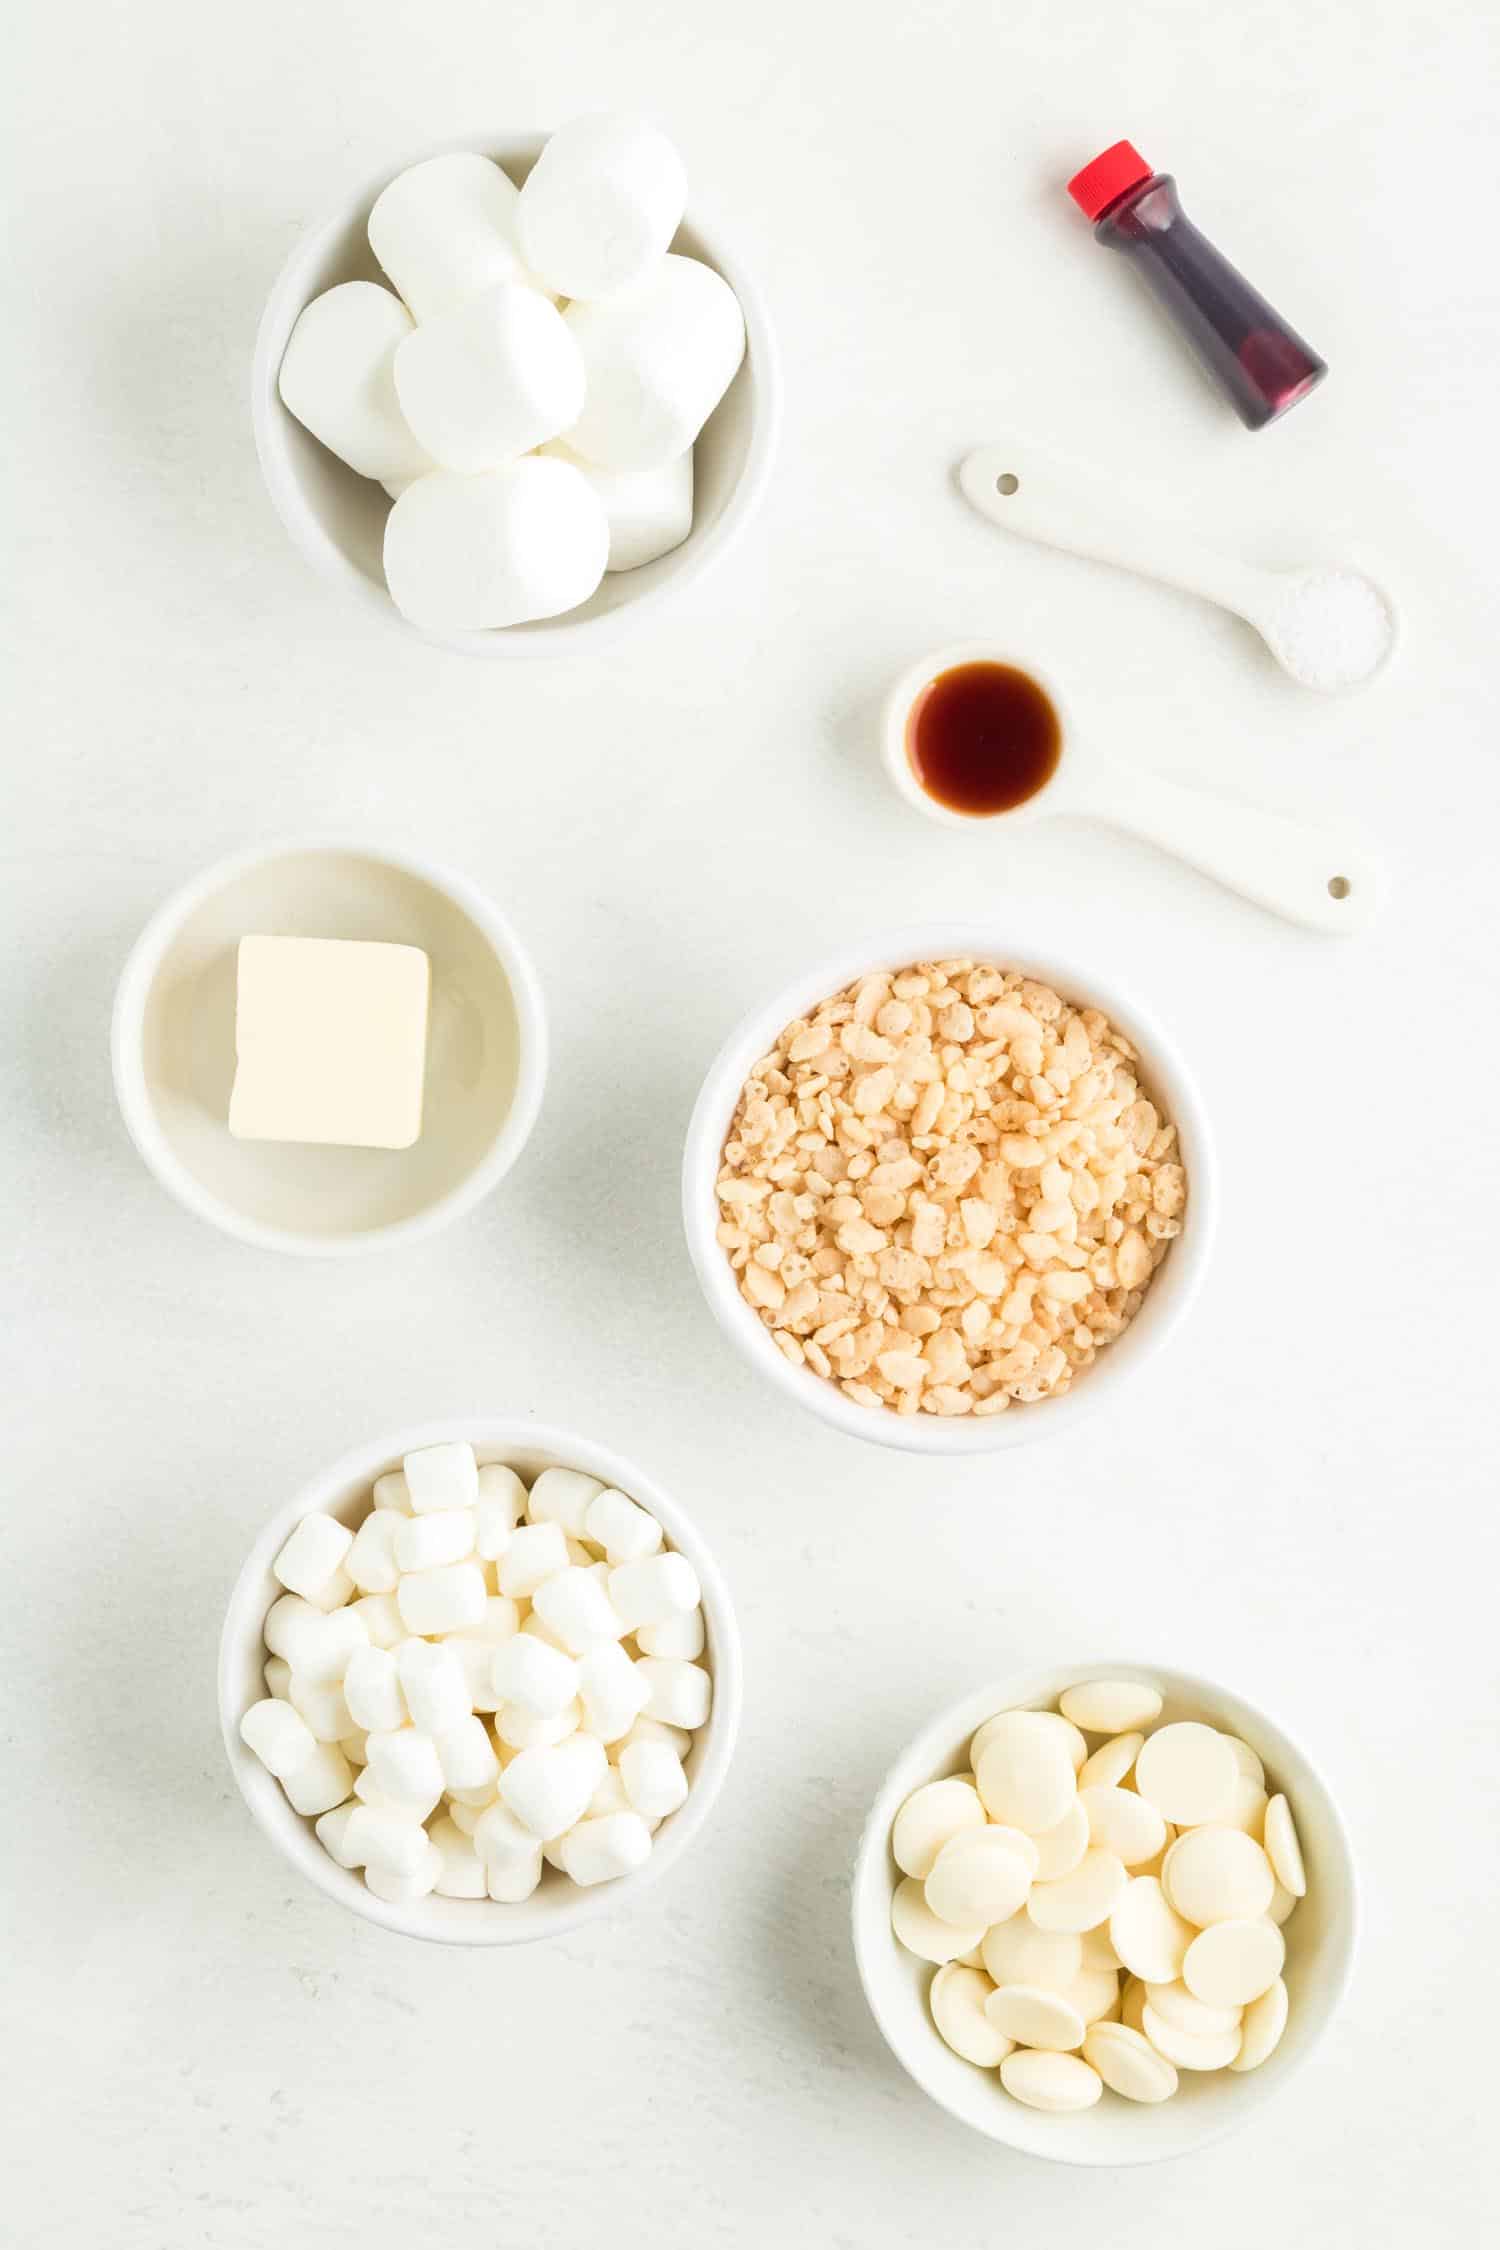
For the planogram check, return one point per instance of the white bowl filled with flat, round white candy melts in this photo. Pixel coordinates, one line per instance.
(1103, 1911)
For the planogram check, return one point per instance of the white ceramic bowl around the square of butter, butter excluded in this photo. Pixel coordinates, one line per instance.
(174, 1047)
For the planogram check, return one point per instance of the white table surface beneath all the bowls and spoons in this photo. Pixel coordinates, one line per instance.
(1299, 1497)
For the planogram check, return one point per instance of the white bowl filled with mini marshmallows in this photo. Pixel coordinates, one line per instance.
(480, 1682)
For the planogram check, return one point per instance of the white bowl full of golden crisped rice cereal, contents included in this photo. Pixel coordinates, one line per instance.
(948, 1191)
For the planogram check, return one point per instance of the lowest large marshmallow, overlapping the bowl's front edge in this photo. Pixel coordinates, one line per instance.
(496, 550)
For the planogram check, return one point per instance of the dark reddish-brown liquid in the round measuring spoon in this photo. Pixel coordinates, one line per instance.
(984, 739)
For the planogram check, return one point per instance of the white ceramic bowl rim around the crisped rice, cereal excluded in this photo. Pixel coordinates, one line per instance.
(1173, 1288)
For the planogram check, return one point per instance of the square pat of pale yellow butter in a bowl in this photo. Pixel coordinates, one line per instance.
(332, 1038)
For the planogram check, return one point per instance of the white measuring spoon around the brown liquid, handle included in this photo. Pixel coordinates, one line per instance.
(1294, 870)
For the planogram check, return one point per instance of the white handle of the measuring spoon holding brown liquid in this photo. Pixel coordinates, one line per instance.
(1308, 874)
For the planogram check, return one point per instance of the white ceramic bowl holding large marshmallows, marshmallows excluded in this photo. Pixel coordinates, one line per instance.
(338, 519)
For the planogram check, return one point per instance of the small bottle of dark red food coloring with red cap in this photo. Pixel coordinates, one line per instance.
(1243, 341)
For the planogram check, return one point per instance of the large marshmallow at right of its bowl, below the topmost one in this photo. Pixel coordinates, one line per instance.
(658, 361)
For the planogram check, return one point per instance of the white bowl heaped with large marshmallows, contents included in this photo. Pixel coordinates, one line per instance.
(512, 393)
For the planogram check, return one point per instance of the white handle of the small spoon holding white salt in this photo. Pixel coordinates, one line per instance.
(1058, 503)
